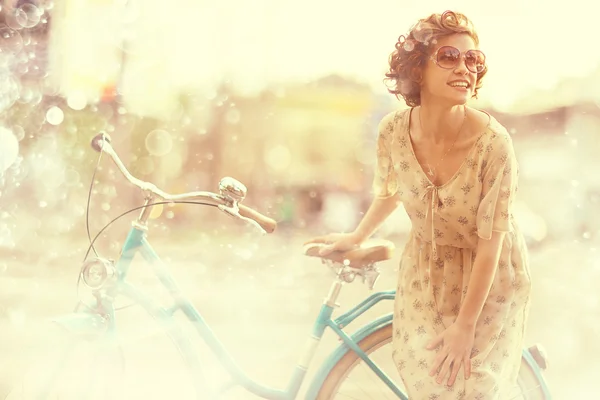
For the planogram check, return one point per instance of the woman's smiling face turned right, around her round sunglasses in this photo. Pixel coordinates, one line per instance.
(455, 85)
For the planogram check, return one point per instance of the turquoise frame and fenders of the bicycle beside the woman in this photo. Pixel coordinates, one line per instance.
(86, 322)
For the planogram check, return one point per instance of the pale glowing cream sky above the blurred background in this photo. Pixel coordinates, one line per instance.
(529, 43)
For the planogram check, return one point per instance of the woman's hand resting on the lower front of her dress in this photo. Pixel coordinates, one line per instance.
(457, 343)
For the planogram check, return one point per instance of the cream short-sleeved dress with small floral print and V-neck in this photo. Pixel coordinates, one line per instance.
(434, 274)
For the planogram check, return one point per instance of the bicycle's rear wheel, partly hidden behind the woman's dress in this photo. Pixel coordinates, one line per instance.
(351, 378)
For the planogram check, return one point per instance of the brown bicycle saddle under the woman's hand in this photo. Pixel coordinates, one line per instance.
(369, 252)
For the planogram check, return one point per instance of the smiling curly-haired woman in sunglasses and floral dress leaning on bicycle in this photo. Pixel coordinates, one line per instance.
(464, 284)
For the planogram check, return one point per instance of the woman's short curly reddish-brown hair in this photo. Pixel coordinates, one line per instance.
(411, 53)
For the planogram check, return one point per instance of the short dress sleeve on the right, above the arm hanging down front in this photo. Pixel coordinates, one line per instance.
(499, 178)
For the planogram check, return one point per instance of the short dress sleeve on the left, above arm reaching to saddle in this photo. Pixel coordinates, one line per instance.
(385, 180)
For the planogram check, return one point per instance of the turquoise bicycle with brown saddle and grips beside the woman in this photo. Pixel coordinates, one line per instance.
(106, 279)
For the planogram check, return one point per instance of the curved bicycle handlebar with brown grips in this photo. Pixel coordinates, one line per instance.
(228, 204)
